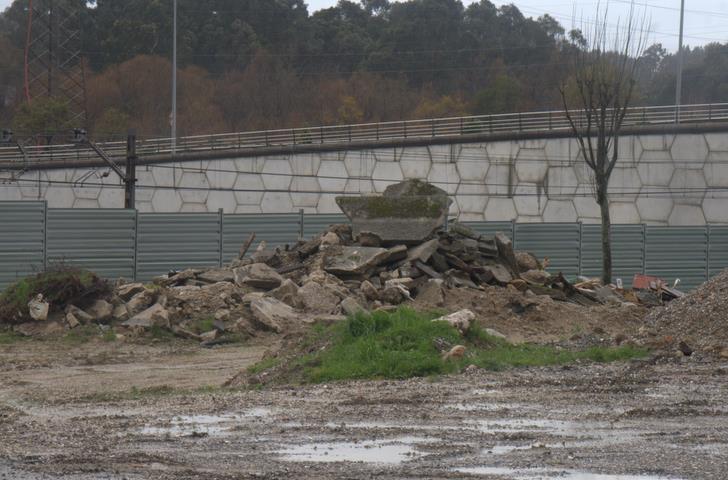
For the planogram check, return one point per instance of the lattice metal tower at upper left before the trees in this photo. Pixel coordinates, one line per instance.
(53, 64)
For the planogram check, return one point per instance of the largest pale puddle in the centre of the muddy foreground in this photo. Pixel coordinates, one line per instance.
(392, 451)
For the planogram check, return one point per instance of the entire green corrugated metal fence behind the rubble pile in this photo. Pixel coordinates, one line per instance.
(126, 243)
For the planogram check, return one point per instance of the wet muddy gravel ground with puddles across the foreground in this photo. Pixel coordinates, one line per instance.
(121, 411)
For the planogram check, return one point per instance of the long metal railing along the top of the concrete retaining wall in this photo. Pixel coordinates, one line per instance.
(365, 132)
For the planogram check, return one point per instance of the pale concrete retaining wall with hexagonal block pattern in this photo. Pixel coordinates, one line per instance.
(660, 180)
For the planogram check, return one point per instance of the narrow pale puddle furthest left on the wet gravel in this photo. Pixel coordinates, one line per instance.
(187, 425)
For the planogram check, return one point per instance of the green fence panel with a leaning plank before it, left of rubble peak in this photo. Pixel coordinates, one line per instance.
(277, 229)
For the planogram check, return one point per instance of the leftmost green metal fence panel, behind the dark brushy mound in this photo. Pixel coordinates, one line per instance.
(22, 240)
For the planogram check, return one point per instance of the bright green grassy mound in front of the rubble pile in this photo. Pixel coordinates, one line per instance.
(404, 344)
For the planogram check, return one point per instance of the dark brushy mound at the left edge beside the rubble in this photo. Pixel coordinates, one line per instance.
(59, 285)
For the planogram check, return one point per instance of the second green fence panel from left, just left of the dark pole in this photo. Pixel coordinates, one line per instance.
(100, 240)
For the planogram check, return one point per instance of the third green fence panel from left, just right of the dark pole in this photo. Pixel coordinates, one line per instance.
(176, 241)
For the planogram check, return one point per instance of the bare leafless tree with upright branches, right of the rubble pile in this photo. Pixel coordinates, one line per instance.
(605, 64)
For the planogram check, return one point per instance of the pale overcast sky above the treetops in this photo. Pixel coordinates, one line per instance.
(705, 20)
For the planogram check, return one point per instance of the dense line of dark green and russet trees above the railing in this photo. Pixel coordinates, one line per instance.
(255, 64)
